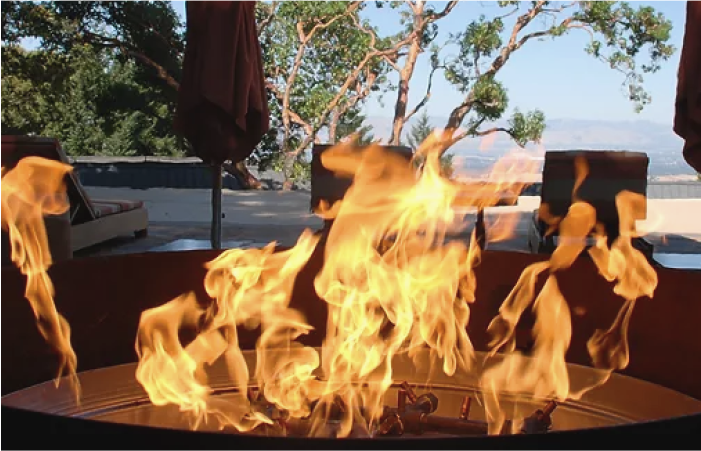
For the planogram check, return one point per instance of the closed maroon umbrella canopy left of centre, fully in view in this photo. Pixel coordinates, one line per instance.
(222, 105)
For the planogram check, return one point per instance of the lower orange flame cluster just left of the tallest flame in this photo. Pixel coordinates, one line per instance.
(250, 288)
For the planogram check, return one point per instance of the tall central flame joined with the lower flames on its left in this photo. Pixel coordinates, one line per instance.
(393, 280)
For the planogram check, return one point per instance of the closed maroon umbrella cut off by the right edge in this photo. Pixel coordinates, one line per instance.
(687, 119)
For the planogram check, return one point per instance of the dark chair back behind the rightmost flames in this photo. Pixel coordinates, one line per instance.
(610, 172)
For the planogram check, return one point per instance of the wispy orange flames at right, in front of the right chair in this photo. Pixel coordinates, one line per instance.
(544, 373)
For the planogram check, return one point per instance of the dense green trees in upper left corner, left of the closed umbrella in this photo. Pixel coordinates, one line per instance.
(104, 78)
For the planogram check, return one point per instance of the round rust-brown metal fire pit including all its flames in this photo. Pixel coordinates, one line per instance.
(380, 327)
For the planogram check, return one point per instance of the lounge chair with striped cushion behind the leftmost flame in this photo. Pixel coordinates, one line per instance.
(92, 221)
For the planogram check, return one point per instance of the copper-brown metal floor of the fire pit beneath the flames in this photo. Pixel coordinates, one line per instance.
(449, 408)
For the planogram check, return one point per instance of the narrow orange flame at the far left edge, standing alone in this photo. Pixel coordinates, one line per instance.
(30, 191)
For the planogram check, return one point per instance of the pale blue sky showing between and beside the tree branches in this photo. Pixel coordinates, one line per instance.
(555, 76)
